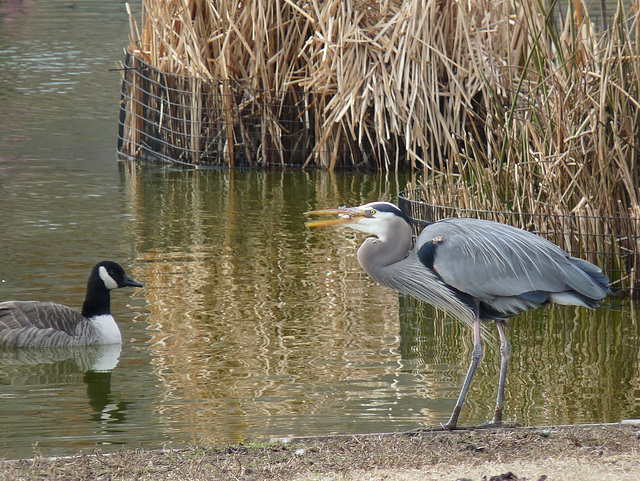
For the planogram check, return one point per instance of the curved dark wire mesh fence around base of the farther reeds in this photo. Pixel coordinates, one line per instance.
(205, 122)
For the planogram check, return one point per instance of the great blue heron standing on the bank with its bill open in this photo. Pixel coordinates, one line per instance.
(476, 270)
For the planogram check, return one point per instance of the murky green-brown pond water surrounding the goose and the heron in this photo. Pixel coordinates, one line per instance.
(249, 325)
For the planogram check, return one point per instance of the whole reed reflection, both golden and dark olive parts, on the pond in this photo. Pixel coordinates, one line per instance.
(260, 327)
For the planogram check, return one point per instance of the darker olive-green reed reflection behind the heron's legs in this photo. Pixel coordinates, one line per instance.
(569, 365)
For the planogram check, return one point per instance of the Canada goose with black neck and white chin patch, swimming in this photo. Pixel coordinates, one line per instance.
(47, 324)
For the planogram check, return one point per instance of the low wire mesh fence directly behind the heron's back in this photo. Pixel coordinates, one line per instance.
(612, 243)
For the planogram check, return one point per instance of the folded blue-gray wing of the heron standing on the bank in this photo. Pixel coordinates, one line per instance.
(487, 260)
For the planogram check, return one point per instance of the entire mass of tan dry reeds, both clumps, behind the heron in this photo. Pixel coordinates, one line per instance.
(504, 106)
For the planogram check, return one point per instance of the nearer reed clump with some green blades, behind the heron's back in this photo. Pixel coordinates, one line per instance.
(555, 148)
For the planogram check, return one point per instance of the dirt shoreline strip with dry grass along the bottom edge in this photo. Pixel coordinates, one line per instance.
(585, 453)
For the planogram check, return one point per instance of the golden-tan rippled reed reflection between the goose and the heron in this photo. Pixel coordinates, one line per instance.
(249, 324)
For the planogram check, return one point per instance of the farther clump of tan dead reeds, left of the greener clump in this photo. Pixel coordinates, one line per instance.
(377, 84)
